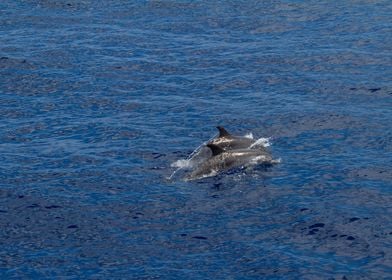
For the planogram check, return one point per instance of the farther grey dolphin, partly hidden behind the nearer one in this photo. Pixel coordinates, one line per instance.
(227, 141)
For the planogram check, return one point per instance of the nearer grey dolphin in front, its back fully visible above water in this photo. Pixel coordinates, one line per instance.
(223, 160)
